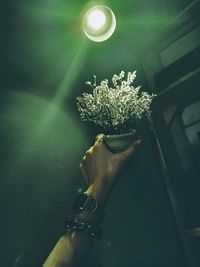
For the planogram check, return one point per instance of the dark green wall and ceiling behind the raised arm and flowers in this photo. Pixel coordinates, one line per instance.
(45, 60)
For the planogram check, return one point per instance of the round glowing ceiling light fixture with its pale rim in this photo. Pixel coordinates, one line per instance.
(99, 23)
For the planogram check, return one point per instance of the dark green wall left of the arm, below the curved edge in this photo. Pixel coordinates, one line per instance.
(41, 146)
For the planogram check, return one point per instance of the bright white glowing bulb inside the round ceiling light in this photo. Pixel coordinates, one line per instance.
(96, 19)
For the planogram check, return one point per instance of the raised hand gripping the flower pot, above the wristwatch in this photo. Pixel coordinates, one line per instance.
(100, 168)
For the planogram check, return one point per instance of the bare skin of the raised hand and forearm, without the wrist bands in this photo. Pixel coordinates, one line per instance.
(100, 168)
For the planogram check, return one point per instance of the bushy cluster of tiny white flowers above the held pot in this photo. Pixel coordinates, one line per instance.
(115, 109)
